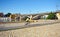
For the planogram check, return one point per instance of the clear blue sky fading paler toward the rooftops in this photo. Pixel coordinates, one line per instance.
(29, 6)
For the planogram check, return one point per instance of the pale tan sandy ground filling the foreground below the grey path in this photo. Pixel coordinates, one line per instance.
(52, 30)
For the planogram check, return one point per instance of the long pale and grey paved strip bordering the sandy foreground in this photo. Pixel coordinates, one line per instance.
(23, 25)
